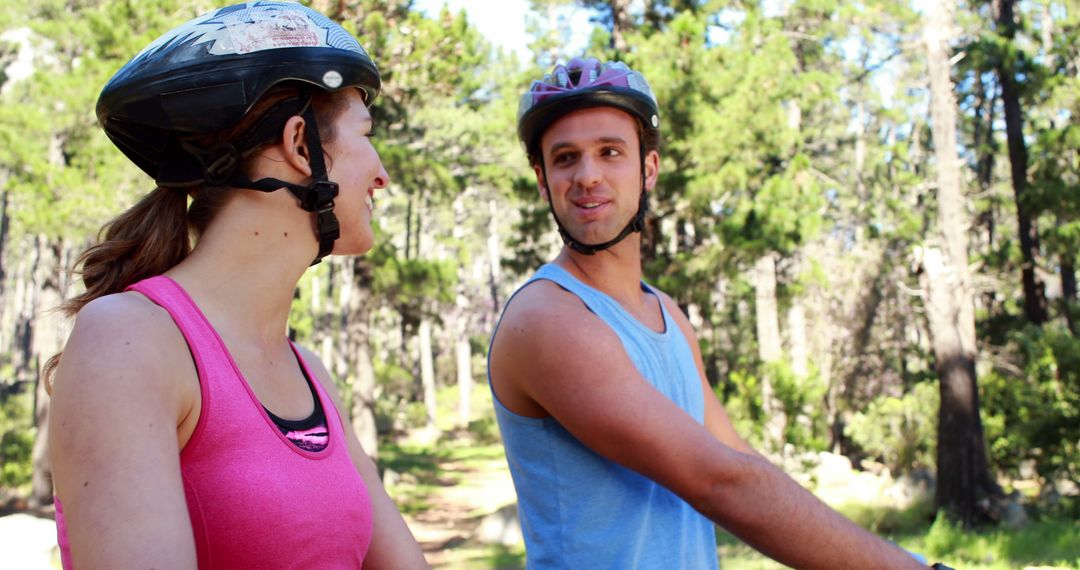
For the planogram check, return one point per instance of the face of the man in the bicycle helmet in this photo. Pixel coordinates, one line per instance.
(595, 172)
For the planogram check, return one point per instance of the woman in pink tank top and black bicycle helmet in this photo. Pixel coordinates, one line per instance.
(186, 429)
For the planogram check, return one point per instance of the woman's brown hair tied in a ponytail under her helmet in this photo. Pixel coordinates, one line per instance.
(155, 235)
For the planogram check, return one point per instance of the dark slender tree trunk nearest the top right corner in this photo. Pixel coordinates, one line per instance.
(1035, 301)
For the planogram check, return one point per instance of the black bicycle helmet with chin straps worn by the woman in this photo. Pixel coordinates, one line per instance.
(205, 76)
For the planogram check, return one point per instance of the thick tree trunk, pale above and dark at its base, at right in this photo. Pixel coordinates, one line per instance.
(963, 473)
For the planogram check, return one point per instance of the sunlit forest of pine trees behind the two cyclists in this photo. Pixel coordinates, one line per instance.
(870, 211)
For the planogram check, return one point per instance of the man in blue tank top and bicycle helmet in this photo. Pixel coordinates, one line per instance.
(622, 455)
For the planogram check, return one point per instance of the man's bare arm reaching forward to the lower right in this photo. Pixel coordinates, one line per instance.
(551, 350)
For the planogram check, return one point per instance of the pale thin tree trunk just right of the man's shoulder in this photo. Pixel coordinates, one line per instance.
(768, 343)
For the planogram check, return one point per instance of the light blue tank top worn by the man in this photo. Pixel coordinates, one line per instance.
(579, 510)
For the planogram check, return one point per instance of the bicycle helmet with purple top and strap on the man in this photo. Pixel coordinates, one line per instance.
(580, 85)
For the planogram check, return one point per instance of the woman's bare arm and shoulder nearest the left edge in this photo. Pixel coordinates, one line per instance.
(124, 387)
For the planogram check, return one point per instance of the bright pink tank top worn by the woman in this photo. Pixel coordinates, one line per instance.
(258, 500)
